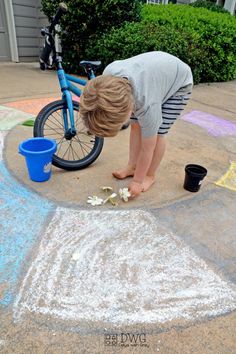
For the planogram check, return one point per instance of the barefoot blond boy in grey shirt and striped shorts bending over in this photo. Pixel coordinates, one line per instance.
(151, 88)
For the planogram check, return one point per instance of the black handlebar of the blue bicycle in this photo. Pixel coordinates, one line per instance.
(49, 41)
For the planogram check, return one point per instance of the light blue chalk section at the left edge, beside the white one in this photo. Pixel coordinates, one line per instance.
(22, 217)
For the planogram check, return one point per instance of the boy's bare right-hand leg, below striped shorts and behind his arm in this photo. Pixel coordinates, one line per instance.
(156, 160)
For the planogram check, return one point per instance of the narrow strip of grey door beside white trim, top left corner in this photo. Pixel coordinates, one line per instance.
(4, 38)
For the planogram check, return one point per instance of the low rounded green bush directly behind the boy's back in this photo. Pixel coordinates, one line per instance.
(136, 38)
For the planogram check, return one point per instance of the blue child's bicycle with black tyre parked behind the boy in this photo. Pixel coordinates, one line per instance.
(60, 120)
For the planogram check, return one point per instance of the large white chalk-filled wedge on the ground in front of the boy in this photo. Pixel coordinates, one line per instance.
(120, 267)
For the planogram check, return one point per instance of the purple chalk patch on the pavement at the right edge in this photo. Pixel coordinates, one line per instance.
(215, 126)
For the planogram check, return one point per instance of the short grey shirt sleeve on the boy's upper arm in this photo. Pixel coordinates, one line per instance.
(150, 120)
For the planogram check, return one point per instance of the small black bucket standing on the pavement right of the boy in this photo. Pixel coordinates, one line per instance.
(194, 175)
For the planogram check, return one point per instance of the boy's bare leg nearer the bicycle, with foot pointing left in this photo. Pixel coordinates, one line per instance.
(134, 148)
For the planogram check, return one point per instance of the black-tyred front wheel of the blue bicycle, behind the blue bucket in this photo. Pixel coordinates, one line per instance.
(40, 130)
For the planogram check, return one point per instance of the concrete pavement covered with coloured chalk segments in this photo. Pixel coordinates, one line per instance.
(153, 275)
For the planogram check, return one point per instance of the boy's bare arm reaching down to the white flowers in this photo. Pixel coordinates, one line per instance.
(143, 164)
